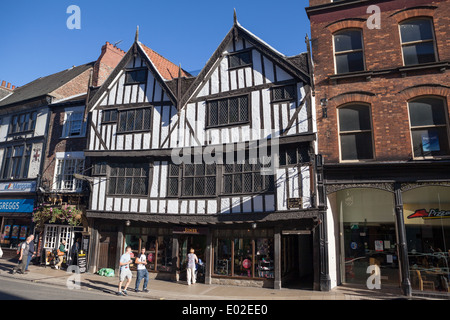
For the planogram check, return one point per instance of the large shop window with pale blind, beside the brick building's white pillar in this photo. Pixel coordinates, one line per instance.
(368, 235)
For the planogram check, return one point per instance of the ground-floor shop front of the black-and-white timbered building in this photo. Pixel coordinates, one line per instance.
(245, 254)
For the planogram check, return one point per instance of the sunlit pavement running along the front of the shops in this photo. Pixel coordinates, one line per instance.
(170, 290)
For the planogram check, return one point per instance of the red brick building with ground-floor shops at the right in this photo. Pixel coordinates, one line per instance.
(382, 95)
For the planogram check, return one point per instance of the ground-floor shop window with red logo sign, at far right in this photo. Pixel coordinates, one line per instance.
(426, 214)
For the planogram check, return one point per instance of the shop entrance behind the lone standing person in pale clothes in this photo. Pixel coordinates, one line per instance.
(198, 243)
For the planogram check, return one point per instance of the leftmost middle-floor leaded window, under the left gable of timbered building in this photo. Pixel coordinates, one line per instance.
(128, 179)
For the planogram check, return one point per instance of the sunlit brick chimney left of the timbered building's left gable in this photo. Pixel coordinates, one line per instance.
(108, 60)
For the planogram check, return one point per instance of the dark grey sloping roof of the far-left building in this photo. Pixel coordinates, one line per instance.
(44, 86)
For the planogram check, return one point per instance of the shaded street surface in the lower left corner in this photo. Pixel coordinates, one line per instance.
(16, 289)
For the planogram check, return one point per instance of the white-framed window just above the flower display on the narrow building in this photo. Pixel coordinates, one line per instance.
(61, 161)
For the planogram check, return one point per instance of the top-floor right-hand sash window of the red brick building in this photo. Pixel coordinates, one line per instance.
(417, 41)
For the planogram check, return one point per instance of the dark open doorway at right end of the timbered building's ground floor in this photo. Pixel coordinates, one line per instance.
(297, 270)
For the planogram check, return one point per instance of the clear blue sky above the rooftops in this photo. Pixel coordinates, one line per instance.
(36, 42)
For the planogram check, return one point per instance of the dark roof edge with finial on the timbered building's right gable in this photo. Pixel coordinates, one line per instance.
(288, 63)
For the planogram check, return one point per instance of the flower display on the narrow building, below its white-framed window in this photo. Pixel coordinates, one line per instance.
(52, 214)
